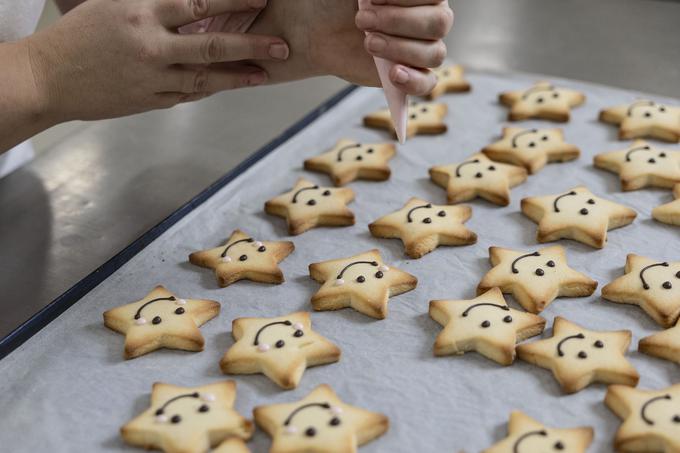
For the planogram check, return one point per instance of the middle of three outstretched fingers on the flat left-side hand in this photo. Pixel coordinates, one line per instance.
(204, 48)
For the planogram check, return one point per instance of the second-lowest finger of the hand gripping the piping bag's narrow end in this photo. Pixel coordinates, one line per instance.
(419, 54)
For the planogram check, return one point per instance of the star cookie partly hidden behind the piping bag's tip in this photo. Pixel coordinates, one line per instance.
(423, 118)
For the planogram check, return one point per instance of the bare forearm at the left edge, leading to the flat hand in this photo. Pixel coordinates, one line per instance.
(21, 113)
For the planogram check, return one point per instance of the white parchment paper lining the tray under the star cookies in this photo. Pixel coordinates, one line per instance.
(68, 388)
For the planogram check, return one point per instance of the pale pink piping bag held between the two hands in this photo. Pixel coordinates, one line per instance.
(241, 22)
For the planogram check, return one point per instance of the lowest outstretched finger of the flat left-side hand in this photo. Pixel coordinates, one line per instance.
(211, 80)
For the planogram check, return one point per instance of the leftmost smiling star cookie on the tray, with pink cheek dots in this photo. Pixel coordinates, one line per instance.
(161, 320)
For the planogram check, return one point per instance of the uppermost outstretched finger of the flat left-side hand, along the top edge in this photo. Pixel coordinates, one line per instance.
(175, 13)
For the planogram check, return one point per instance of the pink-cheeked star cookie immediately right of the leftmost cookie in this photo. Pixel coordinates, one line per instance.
(280, 348)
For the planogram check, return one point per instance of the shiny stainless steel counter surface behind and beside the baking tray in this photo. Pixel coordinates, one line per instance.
(105, 183)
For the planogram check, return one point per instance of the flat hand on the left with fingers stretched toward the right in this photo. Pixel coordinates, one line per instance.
(113, 58)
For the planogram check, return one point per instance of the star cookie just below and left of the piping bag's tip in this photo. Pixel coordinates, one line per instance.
(349, 160)
